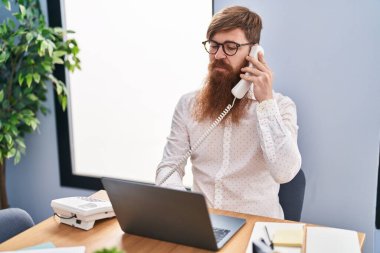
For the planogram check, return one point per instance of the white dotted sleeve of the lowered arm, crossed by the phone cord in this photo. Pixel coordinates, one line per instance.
(176, 147)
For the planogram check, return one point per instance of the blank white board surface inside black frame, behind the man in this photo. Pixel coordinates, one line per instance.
(137, 59)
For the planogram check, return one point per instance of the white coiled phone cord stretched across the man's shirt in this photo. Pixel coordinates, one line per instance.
(199, 142)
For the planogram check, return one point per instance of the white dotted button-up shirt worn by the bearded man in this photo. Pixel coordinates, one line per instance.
(237, 167)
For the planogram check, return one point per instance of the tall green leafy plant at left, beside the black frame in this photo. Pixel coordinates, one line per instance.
(29, 51)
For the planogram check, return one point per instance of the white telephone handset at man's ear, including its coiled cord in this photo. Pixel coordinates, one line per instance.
(239, 91)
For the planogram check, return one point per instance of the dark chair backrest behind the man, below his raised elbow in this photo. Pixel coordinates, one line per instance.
(291, 197)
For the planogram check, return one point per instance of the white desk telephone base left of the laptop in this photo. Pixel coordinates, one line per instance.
(81, 212)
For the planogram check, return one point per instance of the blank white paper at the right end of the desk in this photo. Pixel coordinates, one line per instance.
(331, 240)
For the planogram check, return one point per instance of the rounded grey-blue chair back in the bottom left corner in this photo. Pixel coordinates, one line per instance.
(13, 221)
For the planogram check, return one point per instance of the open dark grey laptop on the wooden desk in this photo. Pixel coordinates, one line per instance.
(170, 215)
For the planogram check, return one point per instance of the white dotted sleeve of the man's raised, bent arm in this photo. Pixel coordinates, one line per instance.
(277, 129)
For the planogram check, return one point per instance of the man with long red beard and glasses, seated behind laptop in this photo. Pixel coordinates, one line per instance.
(240, 165)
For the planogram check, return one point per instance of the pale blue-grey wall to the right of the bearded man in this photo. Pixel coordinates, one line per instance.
(325, 56)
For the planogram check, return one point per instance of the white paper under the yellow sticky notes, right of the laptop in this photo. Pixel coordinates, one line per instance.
(259, 233)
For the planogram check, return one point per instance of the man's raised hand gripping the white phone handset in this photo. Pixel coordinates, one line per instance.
(261, 76)
